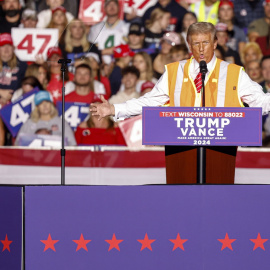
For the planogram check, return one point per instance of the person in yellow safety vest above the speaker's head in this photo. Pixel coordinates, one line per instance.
(206, 10)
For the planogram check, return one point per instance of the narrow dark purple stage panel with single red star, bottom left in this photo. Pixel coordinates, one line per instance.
(11, 228)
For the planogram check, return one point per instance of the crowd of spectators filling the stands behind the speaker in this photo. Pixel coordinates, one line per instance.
(120, 58)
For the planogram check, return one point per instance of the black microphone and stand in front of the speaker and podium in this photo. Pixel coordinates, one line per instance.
(201, 154)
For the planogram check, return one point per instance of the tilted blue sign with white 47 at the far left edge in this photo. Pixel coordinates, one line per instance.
(16, 113)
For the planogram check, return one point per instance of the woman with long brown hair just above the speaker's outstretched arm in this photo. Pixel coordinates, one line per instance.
(143, 62)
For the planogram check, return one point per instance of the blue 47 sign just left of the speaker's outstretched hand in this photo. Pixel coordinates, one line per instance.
(75, 112)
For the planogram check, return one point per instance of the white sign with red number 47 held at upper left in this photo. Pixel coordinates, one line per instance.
(30, 42)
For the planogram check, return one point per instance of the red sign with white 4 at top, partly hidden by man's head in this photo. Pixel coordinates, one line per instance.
(92, 11)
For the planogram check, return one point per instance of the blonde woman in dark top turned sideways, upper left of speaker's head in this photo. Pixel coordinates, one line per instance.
(155, 28)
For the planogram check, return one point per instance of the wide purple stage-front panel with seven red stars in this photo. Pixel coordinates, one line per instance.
(161, 227)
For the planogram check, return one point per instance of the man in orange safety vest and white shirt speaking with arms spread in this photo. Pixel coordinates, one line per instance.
(202, 43)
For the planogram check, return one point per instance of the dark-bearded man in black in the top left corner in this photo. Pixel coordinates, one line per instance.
(12, 15)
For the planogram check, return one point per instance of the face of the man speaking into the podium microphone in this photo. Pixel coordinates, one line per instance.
(202, 47)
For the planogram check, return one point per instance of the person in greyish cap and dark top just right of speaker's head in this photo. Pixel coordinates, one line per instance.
(231, 56)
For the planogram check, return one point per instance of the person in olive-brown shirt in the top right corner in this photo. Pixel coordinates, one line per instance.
(259, 27)
